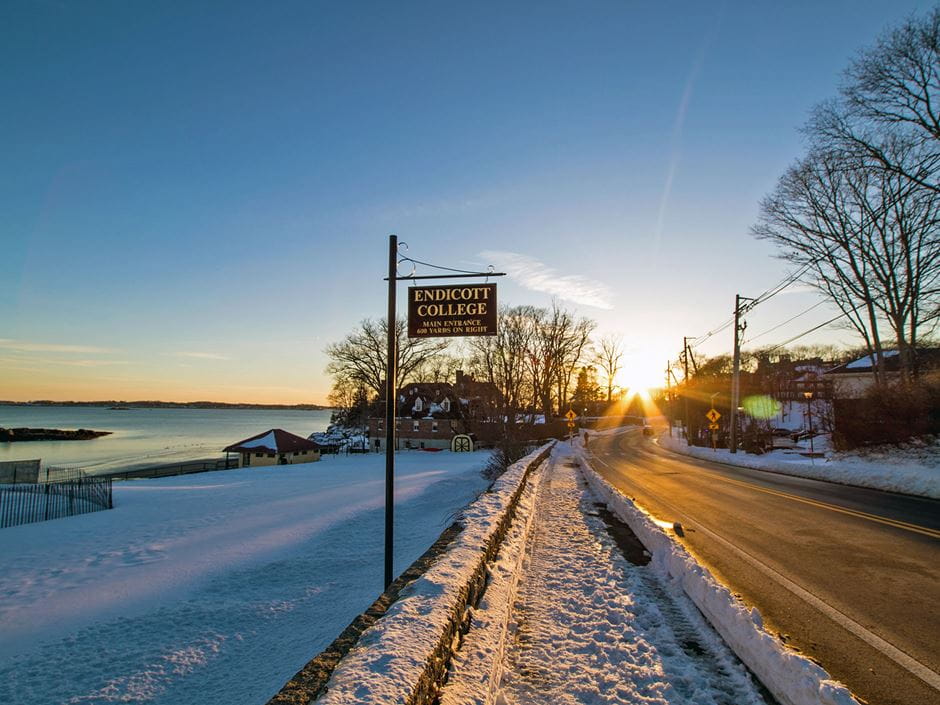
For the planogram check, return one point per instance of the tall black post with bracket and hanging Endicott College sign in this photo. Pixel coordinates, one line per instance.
(433, 311)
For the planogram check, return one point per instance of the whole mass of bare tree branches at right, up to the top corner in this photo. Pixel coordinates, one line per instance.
(862, 211)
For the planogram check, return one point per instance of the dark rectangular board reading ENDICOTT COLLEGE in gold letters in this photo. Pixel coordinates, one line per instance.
(445, 311)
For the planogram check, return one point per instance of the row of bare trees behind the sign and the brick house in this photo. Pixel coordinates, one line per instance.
(536, 361)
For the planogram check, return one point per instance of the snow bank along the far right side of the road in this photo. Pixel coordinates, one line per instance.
(899, 474)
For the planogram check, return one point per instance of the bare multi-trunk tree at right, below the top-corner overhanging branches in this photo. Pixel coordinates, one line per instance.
(866, 239)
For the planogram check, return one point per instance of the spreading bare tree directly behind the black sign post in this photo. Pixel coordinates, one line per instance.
(361, 356)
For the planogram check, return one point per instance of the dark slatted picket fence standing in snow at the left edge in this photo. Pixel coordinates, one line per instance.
(25, 503)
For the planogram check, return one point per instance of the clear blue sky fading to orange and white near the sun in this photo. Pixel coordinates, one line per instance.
(196, 197)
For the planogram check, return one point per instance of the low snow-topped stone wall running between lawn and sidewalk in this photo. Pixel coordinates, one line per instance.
(398, 650)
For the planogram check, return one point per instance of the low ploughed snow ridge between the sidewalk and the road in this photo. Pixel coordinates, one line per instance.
(793, 679)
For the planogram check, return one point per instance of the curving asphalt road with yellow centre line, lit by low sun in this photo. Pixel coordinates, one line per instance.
(848, 576)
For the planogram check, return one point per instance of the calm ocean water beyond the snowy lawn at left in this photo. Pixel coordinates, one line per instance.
(143, 437)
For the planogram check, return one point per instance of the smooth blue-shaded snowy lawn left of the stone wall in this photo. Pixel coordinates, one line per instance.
(210, 588)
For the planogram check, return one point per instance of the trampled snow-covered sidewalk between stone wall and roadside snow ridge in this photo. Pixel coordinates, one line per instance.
(584, 625)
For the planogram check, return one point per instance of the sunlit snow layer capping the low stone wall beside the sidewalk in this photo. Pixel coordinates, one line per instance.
(403, 657)
